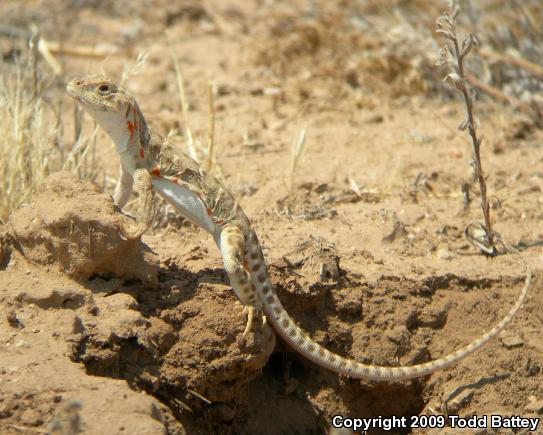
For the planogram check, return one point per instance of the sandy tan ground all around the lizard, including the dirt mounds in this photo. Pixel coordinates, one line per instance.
(101, 335)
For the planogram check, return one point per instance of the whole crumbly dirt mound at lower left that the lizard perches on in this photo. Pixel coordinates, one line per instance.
(115, 319)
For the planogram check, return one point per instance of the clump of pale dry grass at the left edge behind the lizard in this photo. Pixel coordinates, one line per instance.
(31, 128)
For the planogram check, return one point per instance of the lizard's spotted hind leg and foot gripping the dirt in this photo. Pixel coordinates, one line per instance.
(232, 246)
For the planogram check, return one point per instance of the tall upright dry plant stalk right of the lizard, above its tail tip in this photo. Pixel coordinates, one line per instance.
(454, 57)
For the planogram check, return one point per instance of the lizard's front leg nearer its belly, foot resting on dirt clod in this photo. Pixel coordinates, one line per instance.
(144, 214)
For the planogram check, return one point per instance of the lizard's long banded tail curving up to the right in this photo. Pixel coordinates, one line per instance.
(292, 334)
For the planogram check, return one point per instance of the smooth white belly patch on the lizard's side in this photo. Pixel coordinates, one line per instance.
(186, 202)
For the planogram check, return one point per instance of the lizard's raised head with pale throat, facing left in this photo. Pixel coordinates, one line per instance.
(110, 105)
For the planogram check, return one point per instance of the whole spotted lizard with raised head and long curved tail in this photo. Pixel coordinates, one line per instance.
(149, 164)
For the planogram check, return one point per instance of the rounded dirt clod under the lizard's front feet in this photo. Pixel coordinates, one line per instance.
(72, 226)
